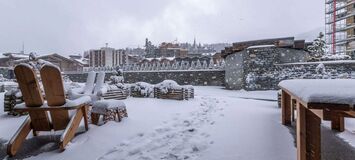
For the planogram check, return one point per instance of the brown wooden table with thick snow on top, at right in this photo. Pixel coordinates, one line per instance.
(316, 99)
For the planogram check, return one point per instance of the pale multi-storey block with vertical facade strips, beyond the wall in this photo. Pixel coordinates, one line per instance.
(105, 57)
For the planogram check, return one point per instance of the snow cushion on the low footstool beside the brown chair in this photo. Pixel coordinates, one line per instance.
(101, 105)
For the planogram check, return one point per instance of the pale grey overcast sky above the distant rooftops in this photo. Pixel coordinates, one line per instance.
(73, 26)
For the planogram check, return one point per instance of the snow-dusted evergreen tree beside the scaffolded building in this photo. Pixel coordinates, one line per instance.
(318, 46)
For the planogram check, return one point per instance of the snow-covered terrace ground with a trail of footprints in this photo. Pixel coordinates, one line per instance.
(217, 124)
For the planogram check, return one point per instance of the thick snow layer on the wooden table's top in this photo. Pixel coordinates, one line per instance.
(337, 91)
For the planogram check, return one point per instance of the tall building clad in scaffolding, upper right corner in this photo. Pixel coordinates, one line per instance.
(339, 22)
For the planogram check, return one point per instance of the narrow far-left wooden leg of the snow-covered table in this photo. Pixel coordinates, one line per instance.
(286, 108)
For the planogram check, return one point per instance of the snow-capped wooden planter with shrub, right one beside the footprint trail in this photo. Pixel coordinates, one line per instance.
(169, 89)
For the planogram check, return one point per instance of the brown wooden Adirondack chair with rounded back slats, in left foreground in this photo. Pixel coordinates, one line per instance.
(38, 119)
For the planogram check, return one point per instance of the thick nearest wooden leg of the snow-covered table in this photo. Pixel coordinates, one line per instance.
(308, 134)
